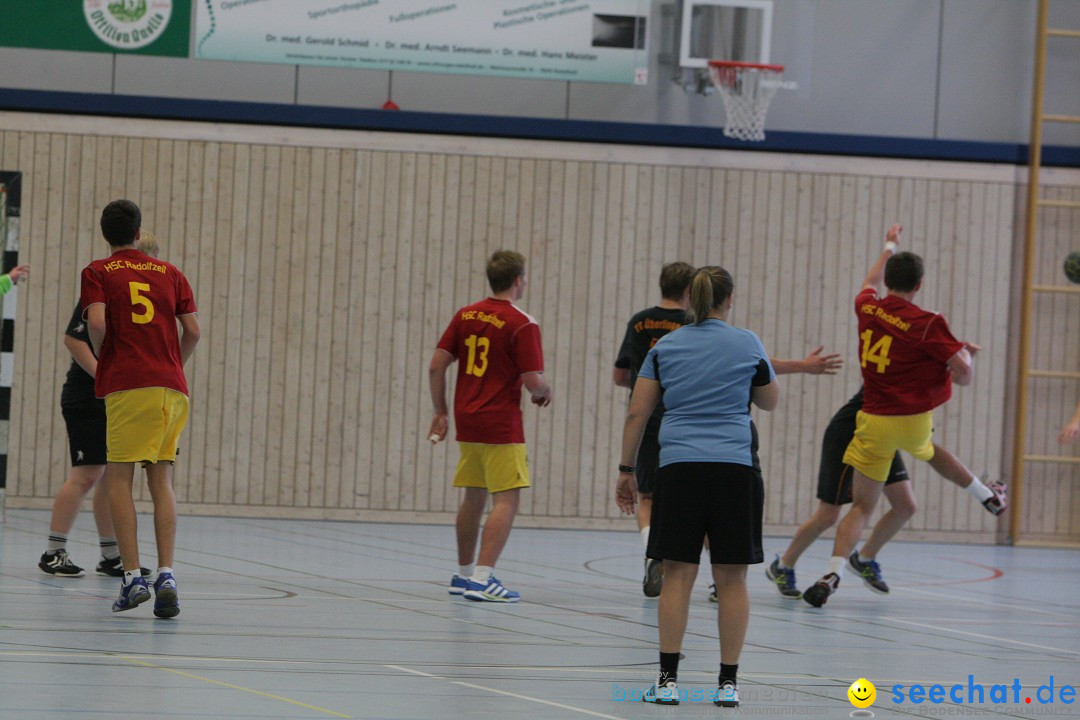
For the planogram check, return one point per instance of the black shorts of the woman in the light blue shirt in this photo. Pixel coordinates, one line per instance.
(722, 501)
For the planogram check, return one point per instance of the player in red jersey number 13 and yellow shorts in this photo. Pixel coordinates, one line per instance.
(499, 350)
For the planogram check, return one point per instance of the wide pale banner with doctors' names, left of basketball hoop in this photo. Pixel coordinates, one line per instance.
(580, 40)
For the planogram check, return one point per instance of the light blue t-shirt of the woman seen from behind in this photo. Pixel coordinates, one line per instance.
(707, 373)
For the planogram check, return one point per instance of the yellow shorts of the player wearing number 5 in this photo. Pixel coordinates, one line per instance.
(144, 425)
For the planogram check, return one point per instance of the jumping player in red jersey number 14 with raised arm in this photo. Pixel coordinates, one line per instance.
(910, 361)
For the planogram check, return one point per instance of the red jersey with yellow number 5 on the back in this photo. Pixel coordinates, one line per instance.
(143, 297)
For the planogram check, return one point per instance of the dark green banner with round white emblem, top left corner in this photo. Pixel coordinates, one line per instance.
(146, 28)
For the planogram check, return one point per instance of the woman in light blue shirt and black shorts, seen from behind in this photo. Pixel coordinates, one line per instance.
(709, 375)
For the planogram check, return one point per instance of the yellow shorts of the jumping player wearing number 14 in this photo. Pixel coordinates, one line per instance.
(880, 437)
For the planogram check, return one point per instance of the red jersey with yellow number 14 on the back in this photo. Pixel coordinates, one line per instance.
(903, 350)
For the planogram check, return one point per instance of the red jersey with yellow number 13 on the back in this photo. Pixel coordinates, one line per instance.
(495, 345)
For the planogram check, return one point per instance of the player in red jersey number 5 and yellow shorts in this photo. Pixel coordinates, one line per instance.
(133, 303)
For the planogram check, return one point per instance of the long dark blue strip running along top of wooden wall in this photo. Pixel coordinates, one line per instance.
(582, 131)
